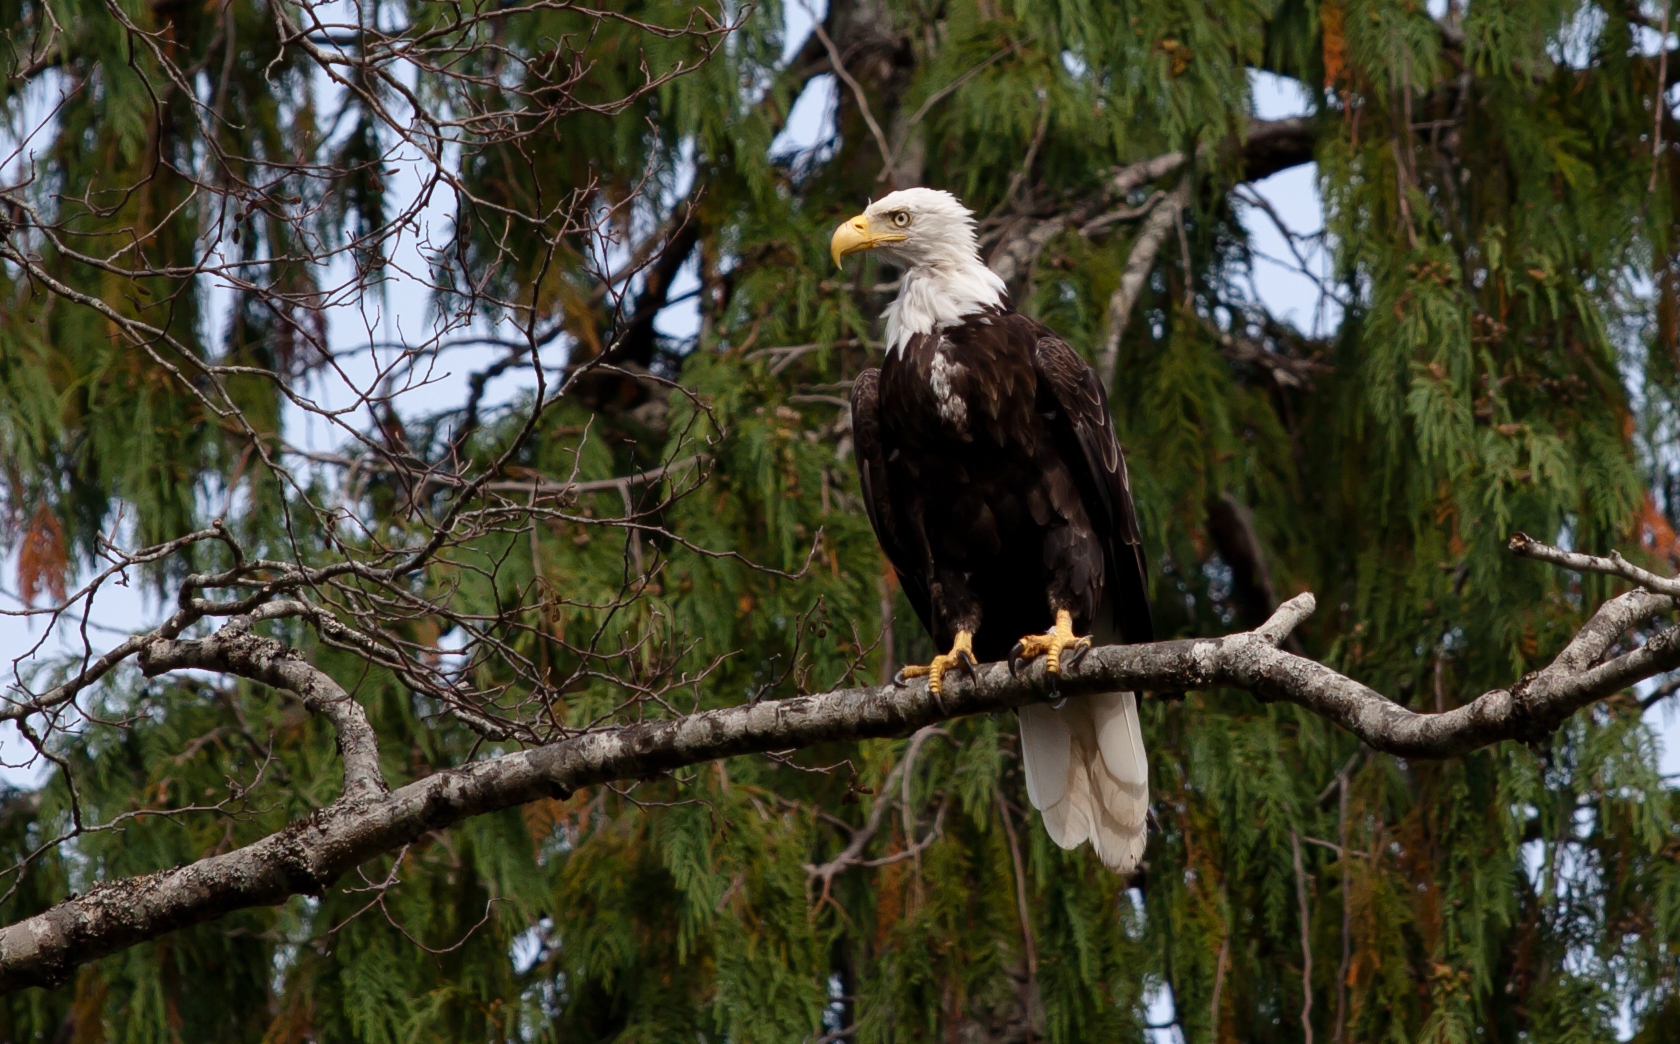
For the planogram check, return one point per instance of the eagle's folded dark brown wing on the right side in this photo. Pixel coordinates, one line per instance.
(1073, 401)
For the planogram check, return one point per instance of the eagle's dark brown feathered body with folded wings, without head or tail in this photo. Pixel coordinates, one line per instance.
(997, 487)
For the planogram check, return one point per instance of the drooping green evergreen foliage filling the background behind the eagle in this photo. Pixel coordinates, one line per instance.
(1506, 361)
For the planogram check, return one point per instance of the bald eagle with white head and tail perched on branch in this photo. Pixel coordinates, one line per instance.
(1000, 497)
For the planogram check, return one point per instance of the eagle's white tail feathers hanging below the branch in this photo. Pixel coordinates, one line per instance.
(1089, 776)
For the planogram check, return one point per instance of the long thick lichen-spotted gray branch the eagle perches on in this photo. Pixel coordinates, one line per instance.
(308, 857)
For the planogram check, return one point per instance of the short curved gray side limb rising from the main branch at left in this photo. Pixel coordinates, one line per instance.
(236, 651)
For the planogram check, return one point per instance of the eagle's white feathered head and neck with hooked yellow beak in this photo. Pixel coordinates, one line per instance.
(932, 236)
